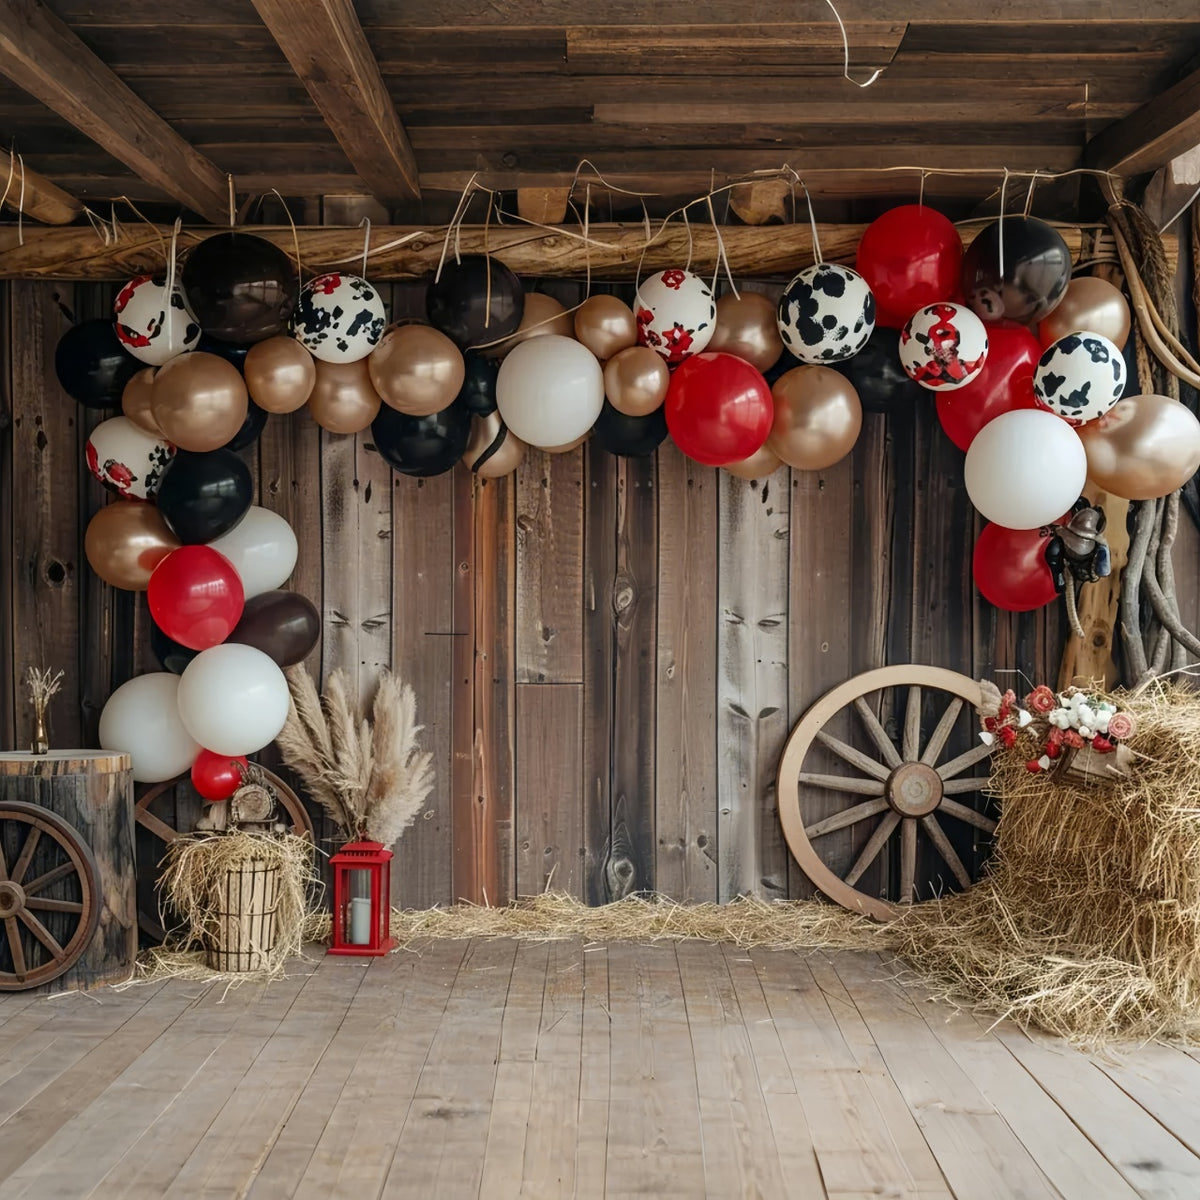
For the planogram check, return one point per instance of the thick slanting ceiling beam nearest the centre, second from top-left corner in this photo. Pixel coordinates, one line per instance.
(329, 53)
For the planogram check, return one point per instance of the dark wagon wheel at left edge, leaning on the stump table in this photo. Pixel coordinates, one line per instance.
(50, 919)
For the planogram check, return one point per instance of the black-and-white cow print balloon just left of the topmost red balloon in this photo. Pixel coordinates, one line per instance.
(827, 314)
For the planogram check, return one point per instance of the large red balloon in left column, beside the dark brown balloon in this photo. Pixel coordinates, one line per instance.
(196, 597)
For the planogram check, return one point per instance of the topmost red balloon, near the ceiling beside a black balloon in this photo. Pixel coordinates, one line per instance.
(911, 256)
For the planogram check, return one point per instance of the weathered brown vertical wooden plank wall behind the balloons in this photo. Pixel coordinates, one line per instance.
(608, 653)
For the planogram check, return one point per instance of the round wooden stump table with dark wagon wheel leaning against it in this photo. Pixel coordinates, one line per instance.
(69, 915)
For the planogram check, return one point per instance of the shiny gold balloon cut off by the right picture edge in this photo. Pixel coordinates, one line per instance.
(1143, 448)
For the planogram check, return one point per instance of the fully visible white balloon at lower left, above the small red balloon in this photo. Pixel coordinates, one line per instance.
(233, 699)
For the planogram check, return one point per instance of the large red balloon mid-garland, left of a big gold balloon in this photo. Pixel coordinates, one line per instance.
(718, 409)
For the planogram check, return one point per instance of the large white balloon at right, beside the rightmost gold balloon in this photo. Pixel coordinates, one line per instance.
(1025, 470)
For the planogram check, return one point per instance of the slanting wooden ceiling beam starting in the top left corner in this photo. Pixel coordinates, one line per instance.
(40, 55)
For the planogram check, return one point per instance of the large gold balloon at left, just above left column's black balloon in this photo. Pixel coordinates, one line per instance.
(200, 401)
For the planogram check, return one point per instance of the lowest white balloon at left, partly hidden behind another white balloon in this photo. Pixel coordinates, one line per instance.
(142, 718)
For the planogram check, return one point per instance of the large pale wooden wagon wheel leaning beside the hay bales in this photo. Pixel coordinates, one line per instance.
(904, 787)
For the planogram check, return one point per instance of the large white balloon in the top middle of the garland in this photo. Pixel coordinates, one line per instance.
(550, 391)
